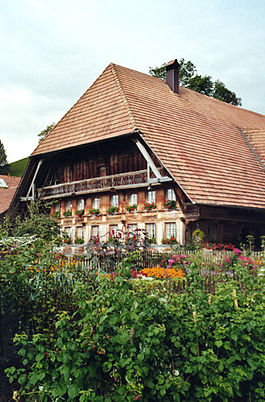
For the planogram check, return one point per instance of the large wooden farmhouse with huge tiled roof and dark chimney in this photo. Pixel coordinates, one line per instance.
(135, 152)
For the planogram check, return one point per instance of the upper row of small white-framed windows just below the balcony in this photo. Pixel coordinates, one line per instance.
(114, 200)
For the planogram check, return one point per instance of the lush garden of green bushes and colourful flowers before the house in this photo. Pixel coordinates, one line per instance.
(127, 324)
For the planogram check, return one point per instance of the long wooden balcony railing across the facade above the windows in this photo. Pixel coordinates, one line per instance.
(106, 183)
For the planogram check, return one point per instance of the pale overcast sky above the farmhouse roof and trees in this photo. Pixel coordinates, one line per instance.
(53, 50)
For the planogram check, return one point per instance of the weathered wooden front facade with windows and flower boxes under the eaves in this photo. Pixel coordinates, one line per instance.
(85, 183)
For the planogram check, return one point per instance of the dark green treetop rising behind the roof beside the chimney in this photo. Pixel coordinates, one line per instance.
(189, 78)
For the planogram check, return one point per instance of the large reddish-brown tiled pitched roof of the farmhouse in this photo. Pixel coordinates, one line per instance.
(201, 141)
